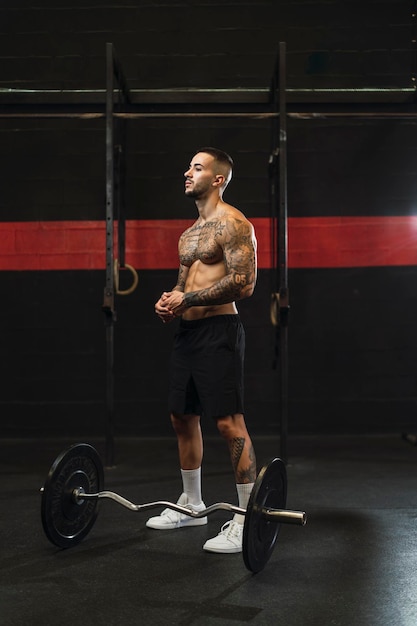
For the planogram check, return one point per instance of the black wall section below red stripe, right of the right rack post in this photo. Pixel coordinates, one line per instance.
(353, 345)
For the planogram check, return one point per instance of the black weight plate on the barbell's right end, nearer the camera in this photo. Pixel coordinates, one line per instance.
(259, 533)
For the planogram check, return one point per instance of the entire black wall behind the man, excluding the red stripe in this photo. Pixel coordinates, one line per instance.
(352, 330)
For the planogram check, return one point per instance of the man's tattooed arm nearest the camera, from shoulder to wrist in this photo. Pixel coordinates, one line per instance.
(239, 250)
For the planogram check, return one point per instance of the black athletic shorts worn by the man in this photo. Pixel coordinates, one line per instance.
(206, 376)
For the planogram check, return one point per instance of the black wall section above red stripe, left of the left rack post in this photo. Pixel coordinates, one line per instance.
(52, 169)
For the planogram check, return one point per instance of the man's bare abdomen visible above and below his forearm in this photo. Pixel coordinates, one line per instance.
(202, 276)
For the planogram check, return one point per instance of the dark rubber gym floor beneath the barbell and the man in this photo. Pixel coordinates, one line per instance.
(353, 564)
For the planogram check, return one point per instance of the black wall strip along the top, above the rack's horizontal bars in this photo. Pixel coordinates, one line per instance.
(201, 43)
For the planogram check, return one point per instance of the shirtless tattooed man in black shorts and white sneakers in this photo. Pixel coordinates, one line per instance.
(217, 267)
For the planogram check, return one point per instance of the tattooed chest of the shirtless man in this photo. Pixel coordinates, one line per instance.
(201, 242)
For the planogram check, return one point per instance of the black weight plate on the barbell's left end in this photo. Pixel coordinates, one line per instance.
(66, 521)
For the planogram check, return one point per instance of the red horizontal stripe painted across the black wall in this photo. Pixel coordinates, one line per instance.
(152, 244)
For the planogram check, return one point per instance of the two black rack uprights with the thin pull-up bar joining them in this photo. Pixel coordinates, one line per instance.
(115, 210)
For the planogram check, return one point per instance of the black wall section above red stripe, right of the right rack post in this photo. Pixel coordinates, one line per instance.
(352, 167)
